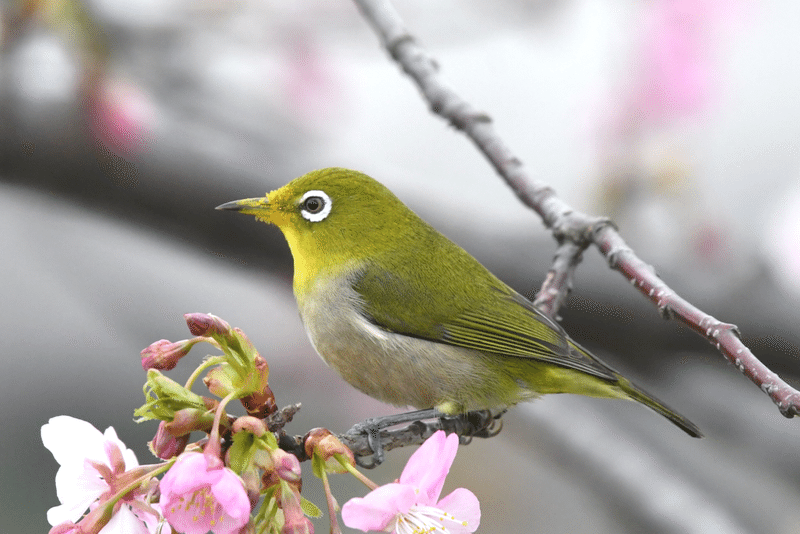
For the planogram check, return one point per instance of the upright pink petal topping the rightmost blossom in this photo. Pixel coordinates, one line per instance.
(428, 466)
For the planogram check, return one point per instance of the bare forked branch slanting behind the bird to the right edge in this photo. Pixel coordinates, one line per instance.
(574, 230)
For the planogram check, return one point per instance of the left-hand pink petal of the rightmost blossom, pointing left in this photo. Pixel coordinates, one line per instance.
(379, 508)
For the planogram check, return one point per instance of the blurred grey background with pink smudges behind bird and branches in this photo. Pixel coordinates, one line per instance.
(123, 123)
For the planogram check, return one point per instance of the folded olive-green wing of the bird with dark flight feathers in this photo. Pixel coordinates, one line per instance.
(478, 312)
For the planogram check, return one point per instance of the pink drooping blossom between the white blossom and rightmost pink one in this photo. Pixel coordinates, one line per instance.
(199, 494)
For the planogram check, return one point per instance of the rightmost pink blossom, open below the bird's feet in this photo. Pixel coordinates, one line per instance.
(412, 503)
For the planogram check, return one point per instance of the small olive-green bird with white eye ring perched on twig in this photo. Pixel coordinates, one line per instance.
(409, 317)
